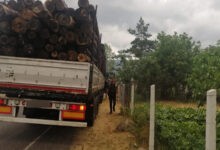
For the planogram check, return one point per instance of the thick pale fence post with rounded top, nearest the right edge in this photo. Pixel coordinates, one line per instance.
(211, 120)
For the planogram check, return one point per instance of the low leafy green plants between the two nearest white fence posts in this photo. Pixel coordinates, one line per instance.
(182, 128)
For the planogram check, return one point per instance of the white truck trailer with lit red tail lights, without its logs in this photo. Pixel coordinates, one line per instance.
(49, 92)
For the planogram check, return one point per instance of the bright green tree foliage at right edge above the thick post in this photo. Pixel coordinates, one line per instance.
(205, 73)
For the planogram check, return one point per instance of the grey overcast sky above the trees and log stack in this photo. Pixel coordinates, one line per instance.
(199, 18)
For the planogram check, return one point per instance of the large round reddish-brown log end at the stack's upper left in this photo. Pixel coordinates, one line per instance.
(19, 25)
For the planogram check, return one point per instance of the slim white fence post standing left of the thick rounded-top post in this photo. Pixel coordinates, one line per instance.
(152, 117)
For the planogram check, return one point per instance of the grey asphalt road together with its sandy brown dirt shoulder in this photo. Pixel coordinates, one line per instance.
(15, 136)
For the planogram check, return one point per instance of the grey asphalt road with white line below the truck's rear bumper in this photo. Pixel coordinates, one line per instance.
(15, 136)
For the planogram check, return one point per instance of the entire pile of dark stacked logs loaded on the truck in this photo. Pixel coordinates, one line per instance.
(29, 28)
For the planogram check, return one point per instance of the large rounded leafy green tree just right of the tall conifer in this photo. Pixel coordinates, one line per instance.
(174, 55)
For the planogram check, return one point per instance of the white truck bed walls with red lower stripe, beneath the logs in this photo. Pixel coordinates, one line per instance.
(50, 75)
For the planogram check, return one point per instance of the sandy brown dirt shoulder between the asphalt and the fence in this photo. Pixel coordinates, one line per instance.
(103, 136)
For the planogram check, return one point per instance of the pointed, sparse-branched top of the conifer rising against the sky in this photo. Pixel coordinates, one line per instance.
(142, 44)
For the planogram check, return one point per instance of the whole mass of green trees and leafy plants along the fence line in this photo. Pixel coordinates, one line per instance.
(183, 71)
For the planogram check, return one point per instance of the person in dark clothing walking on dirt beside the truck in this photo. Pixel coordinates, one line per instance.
(112, 90)
